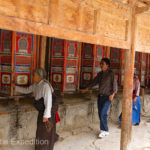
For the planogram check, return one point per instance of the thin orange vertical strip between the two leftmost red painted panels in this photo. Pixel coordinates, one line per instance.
(13, 62)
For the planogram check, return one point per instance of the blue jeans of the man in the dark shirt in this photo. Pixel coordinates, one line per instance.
(103, 106)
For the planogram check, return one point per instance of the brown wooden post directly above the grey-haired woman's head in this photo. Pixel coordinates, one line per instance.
(43, 52)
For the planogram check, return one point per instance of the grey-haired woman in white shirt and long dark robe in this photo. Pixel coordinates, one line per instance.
(46, 104)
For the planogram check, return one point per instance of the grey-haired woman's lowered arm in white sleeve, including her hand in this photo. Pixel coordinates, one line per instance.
(47, 95)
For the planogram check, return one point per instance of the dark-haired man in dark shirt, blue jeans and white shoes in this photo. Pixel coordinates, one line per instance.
(107, 90)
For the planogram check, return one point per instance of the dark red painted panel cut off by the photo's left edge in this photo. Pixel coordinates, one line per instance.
(5, 61)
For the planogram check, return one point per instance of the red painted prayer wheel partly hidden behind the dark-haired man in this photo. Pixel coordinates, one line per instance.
(91, 57)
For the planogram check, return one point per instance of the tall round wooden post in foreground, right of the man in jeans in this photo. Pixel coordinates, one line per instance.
(126, 123)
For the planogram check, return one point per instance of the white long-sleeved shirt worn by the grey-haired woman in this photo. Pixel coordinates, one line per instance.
(42, 89)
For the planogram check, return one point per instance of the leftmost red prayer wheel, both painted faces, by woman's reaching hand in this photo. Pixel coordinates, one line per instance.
(23, 60)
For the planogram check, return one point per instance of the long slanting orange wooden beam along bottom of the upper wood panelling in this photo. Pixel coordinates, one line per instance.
(27, 26)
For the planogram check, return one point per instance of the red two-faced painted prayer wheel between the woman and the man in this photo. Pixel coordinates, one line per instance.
(64, 65)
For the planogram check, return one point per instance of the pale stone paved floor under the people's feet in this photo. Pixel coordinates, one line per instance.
(86, 138)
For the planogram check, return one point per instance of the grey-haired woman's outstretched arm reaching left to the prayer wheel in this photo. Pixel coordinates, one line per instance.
(24, 90)
